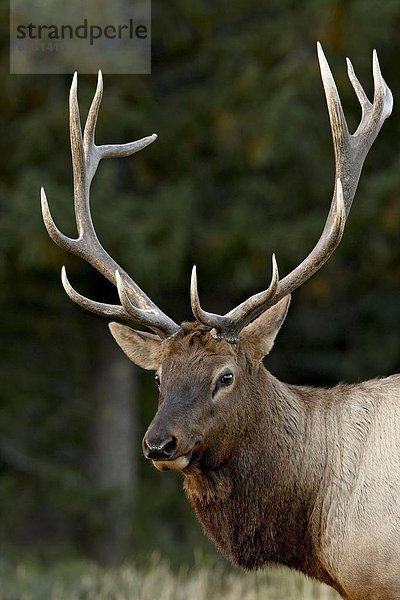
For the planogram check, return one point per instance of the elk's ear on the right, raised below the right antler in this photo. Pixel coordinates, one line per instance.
(260, 334)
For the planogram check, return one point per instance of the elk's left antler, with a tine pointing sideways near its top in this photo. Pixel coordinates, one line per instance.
(135, 306)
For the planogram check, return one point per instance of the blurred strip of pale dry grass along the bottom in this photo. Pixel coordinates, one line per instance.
(87, 581)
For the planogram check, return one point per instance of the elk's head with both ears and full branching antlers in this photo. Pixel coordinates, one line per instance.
(209, 372)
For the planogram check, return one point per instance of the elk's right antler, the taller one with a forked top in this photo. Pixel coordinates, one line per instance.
(350, 152)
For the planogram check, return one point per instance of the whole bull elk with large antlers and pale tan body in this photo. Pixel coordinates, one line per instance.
(298, 476)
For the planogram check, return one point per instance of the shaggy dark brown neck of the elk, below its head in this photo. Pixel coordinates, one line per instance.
(262, 505)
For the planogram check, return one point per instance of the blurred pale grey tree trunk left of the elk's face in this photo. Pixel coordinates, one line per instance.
(114, 447)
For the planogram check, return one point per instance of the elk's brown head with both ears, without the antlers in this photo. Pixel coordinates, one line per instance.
(204, 385)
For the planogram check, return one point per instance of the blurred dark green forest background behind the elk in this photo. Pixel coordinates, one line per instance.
(243, 167)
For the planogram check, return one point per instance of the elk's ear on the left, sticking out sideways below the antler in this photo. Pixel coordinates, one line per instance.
(142, 348)
